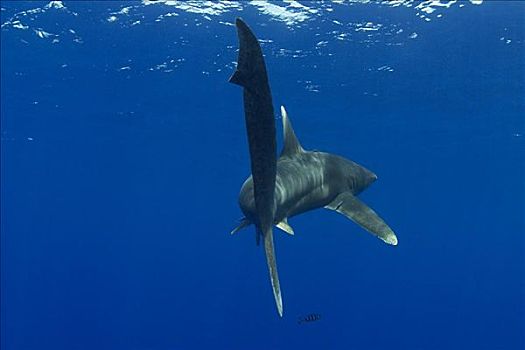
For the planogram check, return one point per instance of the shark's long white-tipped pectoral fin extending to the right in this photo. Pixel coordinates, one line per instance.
(351, 207)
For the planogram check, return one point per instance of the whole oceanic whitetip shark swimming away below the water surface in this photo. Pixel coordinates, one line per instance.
(297, 181)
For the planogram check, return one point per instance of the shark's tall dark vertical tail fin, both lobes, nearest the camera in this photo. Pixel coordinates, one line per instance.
(260, 126)
